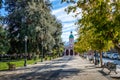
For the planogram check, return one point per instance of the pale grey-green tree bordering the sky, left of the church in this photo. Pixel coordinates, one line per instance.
(46, 25)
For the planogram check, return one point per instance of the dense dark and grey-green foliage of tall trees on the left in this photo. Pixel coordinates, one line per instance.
(33, 19)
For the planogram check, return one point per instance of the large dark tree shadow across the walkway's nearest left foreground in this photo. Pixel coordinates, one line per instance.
(46, 75)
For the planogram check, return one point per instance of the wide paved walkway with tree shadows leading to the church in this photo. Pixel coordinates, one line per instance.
(64, 68)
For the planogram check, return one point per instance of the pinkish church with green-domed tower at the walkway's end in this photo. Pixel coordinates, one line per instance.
(69, 48)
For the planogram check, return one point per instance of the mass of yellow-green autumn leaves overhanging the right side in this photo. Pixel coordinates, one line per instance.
(100, 24)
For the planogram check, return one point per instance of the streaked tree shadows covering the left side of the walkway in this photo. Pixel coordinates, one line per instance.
(48, 71)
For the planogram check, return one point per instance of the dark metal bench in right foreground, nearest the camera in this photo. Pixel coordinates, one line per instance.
(110, 66)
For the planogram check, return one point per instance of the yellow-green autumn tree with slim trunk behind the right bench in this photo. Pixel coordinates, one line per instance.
(101, 18)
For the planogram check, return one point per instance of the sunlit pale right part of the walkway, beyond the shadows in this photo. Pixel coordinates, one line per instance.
(88, 71)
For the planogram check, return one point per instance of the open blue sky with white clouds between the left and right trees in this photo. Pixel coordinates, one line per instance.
(68, 21)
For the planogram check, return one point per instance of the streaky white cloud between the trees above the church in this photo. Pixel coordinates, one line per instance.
(67, 21)
